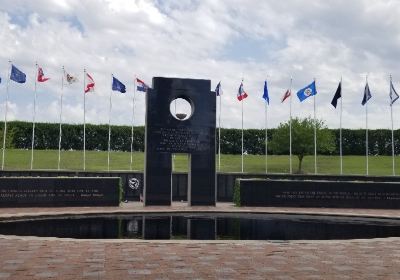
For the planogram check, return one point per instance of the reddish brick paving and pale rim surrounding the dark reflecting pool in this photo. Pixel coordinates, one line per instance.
(41, 258)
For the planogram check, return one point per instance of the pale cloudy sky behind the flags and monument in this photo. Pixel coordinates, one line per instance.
(221, 40)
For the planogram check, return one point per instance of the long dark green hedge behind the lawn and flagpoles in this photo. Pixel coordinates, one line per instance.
(19, 136)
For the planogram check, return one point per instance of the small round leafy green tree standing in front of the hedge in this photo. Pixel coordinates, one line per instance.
(302, 138)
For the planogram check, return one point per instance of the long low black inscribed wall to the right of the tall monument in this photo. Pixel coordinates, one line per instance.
(317, 193)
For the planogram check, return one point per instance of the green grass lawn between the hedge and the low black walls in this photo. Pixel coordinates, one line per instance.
(73, 160)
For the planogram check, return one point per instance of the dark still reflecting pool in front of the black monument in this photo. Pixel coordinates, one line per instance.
(206, 226)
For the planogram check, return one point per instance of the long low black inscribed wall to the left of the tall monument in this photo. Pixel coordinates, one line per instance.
(59, 191)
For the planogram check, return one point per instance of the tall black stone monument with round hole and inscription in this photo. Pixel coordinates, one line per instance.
(167, 134)
